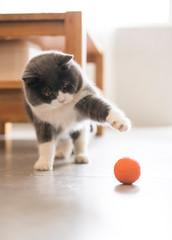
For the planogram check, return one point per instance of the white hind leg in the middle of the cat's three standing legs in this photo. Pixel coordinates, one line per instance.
(64, 148)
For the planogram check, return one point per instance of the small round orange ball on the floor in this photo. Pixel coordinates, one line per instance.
(127, 170)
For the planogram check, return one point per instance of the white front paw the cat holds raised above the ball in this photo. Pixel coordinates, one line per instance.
(118, 121)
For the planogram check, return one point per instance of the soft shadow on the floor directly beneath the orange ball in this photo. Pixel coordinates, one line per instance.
(126, 189)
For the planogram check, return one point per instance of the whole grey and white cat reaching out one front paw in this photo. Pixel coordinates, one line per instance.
(61, 104)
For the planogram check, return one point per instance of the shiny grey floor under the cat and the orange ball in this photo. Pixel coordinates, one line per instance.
(86, 202)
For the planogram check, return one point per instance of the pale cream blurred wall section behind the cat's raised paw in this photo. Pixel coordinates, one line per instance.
(142, 72)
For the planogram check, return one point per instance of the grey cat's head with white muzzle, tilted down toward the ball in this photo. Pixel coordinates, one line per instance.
(51, 80)
